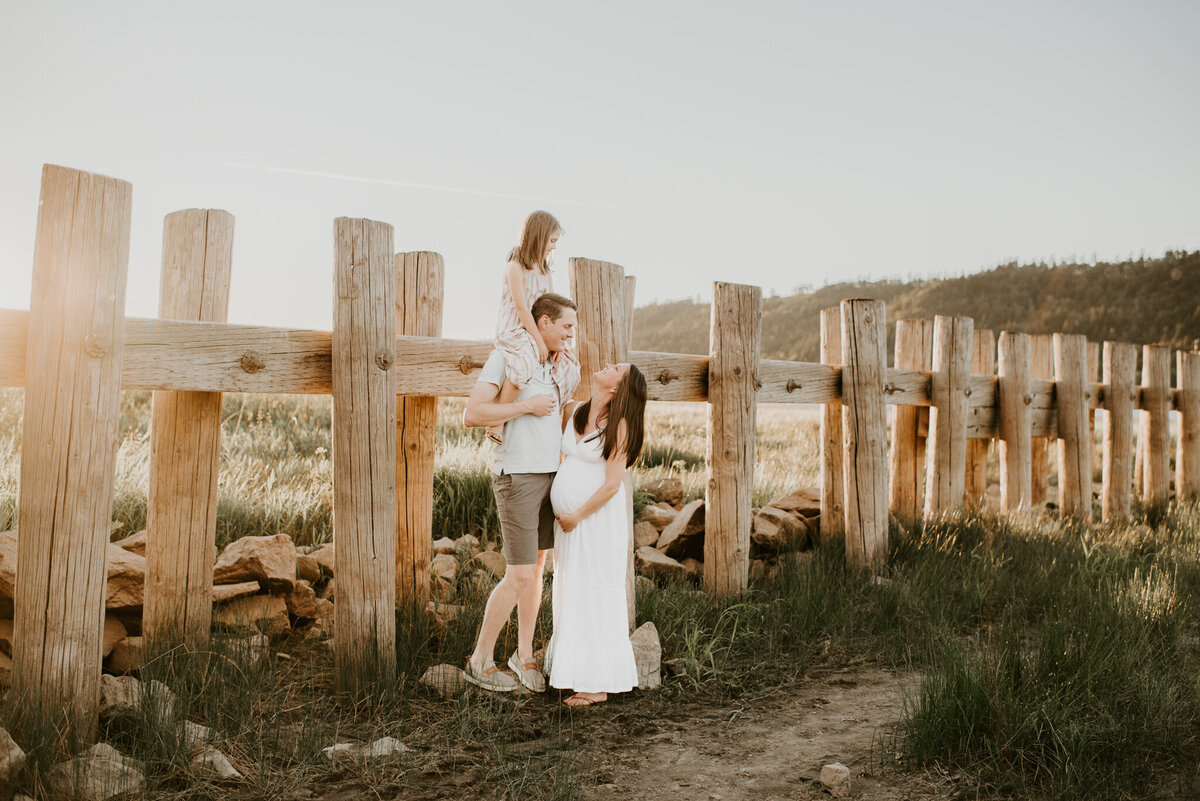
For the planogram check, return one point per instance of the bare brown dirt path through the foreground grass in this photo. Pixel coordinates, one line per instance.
(773, 748)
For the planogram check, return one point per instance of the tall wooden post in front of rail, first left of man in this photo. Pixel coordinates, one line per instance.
(364, 384)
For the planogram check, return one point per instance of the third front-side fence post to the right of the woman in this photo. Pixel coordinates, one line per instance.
(946, 472)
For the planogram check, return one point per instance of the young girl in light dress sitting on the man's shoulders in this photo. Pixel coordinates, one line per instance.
(526, 280)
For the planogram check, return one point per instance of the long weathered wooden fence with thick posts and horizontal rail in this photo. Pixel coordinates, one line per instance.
(385, 363)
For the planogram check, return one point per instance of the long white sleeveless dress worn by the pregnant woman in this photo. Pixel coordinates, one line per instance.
(590, 649)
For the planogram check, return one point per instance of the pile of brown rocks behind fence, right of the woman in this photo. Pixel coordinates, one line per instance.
(669, 535)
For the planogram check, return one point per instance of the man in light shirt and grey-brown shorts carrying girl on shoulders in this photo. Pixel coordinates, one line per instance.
(524, 469)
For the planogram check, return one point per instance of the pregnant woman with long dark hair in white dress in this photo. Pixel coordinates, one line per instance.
(590, 649)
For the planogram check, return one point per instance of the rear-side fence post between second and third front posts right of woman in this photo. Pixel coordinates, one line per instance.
(914, 351)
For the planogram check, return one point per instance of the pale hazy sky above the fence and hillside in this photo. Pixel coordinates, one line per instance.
(778, 144)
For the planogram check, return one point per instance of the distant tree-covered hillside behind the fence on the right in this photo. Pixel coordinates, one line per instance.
(1144, 302)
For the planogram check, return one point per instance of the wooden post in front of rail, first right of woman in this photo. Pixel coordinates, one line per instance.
(735, 352)
